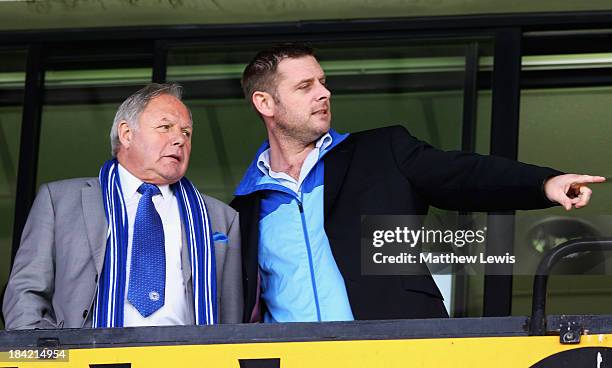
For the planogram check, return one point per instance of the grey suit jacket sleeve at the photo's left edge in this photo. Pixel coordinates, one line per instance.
(27, 301)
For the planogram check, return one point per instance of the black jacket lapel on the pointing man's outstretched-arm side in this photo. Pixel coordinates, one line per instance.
(336, 164)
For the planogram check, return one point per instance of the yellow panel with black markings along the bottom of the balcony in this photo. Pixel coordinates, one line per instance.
(455, 352)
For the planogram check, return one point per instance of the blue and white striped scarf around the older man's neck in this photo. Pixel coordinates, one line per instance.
(108, 307)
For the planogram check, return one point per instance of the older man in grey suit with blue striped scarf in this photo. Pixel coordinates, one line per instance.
(138, 246)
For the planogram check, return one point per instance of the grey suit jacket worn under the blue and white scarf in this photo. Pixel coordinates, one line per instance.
(55, 274)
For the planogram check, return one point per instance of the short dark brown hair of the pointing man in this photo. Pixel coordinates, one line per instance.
(260, 74)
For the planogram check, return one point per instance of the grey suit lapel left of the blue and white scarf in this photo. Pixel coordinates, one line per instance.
(95, 221)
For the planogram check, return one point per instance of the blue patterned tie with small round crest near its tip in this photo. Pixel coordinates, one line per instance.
(148, 266)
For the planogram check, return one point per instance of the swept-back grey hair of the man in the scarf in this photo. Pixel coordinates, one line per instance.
(134, 105)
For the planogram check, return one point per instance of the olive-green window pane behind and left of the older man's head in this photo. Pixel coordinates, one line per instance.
(77, 116)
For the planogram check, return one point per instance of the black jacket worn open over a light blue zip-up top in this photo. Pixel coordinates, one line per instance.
(388, 172)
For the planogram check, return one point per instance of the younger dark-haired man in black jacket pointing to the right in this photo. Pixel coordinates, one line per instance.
(301, 199)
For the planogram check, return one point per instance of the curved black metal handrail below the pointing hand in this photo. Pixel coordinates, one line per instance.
(537, 322)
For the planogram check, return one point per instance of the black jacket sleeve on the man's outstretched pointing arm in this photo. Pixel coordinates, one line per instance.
(457, 180)
